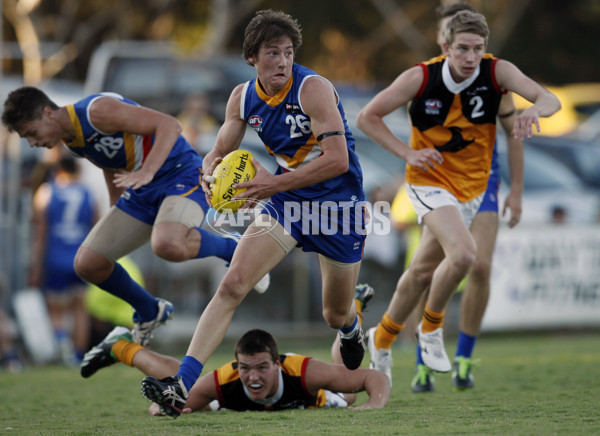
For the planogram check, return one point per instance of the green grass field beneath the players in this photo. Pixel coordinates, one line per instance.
(544, 384)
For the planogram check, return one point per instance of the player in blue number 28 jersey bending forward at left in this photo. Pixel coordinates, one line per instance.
(153, 179)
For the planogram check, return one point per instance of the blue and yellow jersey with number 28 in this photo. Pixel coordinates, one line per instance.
(119, 151)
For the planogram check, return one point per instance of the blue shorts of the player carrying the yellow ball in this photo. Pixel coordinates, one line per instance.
(337, 231)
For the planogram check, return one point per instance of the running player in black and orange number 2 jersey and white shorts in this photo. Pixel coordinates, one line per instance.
(455, 99)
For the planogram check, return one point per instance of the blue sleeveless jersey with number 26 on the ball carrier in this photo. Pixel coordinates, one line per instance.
(286, 132)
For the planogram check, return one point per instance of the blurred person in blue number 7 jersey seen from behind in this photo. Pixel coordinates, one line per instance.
(64, 211)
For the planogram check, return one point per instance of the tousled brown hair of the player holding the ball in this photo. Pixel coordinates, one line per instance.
(268, 25)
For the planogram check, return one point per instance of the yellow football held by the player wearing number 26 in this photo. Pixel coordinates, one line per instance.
(236, 167)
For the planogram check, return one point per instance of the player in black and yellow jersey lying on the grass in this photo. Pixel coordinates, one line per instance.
(259, 379)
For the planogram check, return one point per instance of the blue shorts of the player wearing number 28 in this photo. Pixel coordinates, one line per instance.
(183, 180)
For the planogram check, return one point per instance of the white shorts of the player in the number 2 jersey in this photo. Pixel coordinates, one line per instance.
(427, 198)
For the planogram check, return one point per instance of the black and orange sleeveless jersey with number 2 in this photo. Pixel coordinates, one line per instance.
(459, 120)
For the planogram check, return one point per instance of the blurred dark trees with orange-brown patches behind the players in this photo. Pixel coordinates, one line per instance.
(352, 41)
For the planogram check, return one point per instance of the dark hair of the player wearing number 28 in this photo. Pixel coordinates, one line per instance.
(24, 104)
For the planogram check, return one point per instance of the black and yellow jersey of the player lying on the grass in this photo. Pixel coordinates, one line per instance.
(231, 393)
